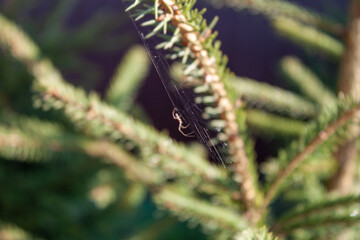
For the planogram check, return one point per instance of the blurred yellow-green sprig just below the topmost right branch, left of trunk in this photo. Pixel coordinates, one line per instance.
(308, 37)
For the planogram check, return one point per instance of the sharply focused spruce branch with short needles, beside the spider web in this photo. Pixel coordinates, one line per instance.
(193, 37)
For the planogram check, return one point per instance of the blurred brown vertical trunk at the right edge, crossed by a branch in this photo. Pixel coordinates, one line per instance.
(349, 85)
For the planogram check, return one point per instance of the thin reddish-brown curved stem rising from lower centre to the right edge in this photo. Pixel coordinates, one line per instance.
(323, 135)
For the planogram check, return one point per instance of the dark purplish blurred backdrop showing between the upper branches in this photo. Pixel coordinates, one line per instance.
(98, 33)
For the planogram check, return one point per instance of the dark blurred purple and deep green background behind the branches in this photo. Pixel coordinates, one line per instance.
(86, 40)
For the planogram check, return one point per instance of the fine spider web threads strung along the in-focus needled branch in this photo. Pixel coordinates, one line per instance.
(181, 99)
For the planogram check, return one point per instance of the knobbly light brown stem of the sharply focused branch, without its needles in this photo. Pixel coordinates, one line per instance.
(193, 40)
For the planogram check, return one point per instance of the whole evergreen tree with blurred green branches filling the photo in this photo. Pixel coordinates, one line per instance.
(77, 165)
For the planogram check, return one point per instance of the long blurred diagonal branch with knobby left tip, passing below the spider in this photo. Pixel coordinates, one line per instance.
(99, 119)
